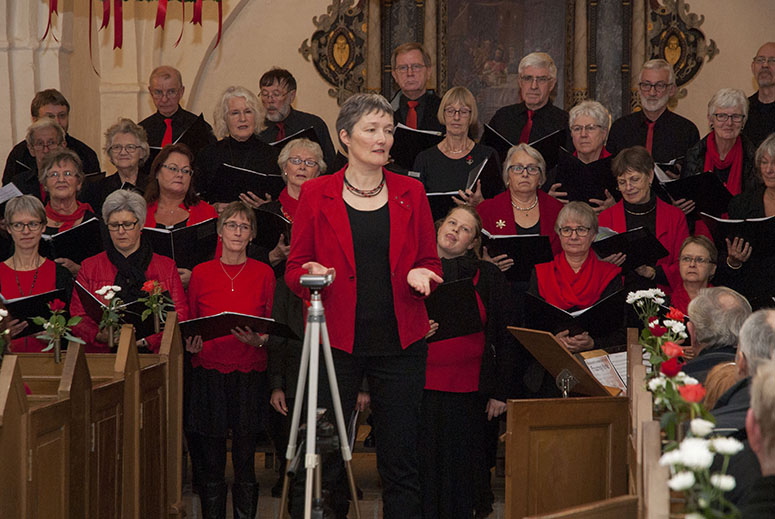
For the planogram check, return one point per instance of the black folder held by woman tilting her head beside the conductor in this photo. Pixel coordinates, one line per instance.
(453, 305)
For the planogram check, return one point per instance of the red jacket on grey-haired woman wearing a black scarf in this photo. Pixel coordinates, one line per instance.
(98, 271)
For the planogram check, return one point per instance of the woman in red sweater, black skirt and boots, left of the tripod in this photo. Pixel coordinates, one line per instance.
(228, 386)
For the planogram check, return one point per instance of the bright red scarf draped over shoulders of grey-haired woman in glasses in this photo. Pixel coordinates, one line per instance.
(559, 285)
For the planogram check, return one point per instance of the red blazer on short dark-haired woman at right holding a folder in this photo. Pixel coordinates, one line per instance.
(672, 230)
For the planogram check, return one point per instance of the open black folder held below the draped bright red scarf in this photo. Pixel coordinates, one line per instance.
(597, 319)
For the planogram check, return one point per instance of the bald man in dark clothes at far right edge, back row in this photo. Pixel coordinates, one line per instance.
(761, 105)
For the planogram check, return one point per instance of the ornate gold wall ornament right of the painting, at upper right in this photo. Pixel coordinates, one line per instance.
(674, 36)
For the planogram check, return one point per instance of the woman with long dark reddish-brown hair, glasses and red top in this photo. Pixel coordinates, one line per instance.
(172, 201)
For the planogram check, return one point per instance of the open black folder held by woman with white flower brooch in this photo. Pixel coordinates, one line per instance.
(527, 250)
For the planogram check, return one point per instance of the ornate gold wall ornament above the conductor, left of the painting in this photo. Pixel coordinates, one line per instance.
(338, 47)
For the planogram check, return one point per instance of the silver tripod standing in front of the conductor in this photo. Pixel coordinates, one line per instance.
(314, 332)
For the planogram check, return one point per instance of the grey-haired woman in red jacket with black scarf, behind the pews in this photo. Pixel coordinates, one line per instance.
(128, 262)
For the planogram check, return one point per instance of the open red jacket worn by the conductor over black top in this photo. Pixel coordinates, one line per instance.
(321, 233)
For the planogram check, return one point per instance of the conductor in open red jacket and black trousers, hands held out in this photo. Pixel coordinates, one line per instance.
(373, 229)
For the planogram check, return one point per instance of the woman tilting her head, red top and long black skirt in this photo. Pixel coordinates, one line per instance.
(464, 385)
